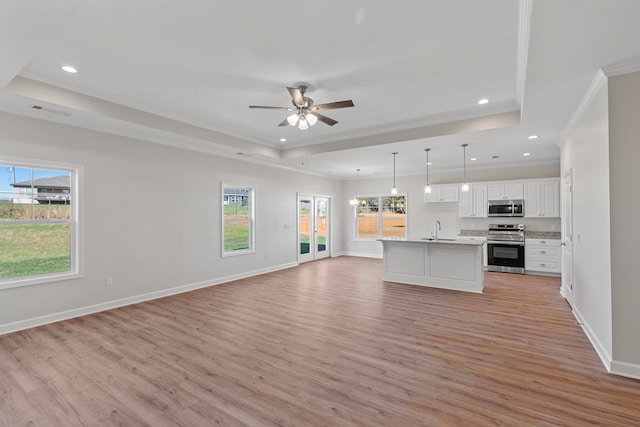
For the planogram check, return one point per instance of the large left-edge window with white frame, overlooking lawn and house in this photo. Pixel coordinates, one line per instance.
(38, 222)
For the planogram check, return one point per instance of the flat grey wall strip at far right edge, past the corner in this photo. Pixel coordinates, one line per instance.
(624, 154)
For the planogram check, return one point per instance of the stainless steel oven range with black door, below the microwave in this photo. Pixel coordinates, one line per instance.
(505, 248)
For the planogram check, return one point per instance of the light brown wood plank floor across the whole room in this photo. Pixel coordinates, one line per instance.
(325, 344)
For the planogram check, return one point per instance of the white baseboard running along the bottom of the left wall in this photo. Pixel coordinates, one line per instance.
(83, 311)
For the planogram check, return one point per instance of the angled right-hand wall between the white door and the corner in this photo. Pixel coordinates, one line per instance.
(585, 153)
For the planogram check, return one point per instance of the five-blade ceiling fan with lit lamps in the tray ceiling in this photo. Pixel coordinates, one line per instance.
(306, 114)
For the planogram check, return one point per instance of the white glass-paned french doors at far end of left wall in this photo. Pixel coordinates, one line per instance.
(313, 227)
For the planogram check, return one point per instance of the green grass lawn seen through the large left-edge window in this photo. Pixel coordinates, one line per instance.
(27, 250)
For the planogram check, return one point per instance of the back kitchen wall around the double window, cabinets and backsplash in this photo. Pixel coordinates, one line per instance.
(421, 216)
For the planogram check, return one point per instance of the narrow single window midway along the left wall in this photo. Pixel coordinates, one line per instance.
(237, 220)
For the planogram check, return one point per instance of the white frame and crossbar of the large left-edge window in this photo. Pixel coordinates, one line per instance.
(76, 222)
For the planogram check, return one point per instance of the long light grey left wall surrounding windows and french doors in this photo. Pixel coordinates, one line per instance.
(153, 218)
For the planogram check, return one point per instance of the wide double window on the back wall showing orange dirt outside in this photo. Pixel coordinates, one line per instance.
(381, 216)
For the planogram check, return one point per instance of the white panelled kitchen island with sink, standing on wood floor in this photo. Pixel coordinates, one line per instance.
(442, 263)
